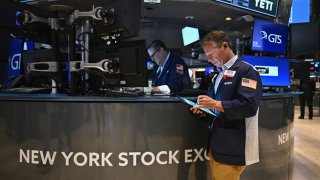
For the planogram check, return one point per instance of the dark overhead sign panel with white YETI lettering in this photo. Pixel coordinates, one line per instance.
(266, 7)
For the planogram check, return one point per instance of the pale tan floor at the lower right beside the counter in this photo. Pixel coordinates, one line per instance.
(306, 165)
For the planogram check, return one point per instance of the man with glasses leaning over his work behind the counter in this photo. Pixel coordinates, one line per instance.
(172, 72)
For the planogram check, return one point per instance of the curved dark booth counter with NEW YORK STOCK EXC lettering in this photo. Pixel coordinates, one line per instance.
(151, 137)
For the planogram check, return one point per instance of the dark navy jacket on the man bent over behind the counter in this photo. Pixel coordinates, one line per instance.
(174, 73)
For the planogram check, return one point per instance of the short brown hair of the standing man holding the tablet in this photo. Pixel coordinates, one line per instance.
(217, 38)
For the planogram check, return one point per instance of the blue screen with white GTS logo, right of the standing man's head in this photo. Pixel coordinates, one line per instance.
(269, 37)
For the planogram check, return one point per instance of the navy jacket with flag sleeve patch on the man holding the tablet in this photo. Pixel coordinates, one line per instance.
(228, 132)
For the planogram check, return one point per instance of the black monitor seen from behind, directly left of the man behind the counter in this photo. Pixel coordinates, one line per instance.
(132, 57)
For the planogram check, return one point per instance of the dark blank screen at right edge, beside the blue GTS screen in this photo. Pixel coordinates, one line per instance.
(304, 39)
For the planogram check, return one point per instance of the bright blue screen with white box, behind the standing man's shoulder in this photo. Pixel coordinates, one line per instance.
(274, 71)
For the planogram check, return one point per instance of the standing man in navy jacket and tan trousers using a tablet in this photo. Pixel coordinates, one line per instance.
(235, 98)
